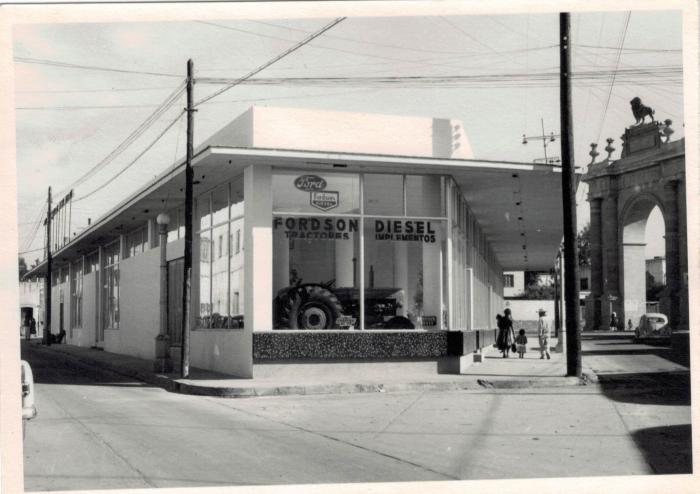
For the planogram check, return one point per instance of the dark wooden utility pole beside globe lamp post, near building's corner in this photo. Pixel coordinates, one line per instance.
(187, 261)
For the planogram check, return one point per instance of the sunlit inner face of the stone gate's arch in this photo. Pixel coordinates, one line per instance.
(633, 223)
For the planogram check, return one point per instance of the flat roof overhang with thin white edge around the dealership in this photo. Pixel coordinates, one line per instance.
(517, 205)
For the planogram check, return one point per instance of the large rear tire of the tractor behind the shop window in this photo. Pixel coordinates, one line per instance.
(310, 307)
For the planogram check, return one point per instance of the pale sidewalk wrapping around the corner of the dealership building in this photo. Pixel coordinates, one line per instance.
(327, 378)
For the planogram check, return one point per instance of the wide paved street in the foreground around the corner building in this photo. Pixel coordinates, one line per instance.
(97, 430)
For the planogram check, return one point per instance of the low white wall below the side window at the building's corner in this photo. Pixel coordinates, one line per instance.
(229, 351)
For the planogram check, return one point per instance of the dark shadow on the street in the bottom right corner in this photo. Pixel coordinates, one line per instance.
(667, 449)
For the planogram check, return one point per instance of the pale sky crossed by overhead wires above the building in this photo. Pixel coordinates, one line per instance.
(82, 89)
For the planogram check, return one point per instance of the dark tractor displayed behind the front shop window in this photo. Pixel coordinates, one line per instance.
(320, 306)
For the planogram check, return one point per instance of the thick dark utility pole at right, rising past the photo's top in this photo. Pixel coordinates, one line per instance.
(568, 189)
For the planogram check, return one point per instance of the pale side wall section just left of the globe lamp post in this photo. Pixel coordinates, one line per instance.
(139, 288)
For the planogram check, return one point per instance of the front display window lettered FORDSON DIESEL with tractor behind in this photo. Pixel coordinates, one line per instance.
(358, 251)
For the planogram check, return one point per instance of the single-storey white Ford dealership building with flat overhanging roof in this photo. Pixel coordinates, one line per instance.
(376, 230)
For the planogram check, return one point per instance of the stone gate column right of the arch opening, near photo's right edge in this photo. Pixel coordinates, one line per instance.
(672, 253)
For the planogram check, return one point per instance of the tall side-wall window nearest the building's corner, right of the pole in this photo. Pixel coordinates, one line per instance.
(220, 222)
